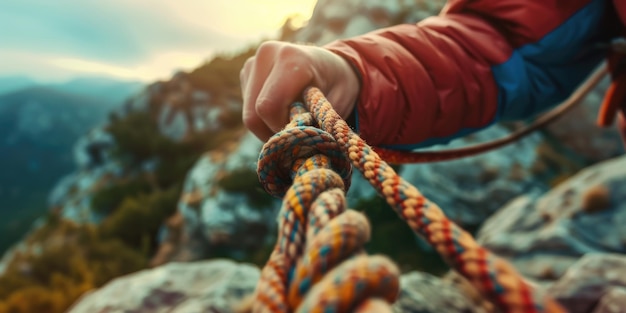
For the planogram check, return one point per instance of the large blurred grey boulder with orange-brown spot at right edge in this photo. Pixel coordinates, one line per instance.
(544, 236)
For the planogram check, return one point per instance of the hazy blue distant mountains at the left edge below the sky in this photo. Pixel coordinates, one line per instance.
(39, 125)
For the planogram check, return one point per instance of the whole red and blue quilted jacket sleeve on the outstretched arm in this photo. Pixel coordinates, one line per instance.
(476, 63)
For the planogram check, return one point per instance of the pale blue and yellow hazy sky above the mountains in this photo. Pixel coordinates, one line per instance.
(138, 39)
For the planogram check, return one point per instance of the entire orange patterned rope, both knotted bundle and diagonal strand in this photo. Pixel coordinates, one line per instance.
(285, 279)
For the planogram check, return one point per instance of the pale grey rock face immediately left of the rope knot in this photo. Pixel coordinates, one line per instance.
(219, 213)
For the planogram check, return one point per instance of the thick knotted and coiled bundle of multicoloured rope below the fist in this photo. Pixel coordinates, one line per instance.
(316, 232)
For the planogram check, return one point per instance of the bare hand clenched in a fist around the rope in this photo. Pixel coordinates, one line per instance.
(278, 74)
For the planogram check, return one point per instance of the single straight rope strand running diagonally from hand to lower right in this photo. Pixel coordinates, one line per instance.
(493, 276)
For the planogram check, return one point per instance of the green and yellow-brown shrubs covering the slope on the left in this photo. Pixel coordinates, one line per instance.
(64, 260)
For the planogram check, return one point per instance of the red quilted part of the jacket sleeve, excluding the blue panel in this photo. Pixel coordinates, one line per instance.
(435, 79)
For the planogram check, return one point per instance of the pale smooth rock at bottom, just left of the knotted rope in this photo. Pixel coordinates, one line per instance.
(210, 286)
